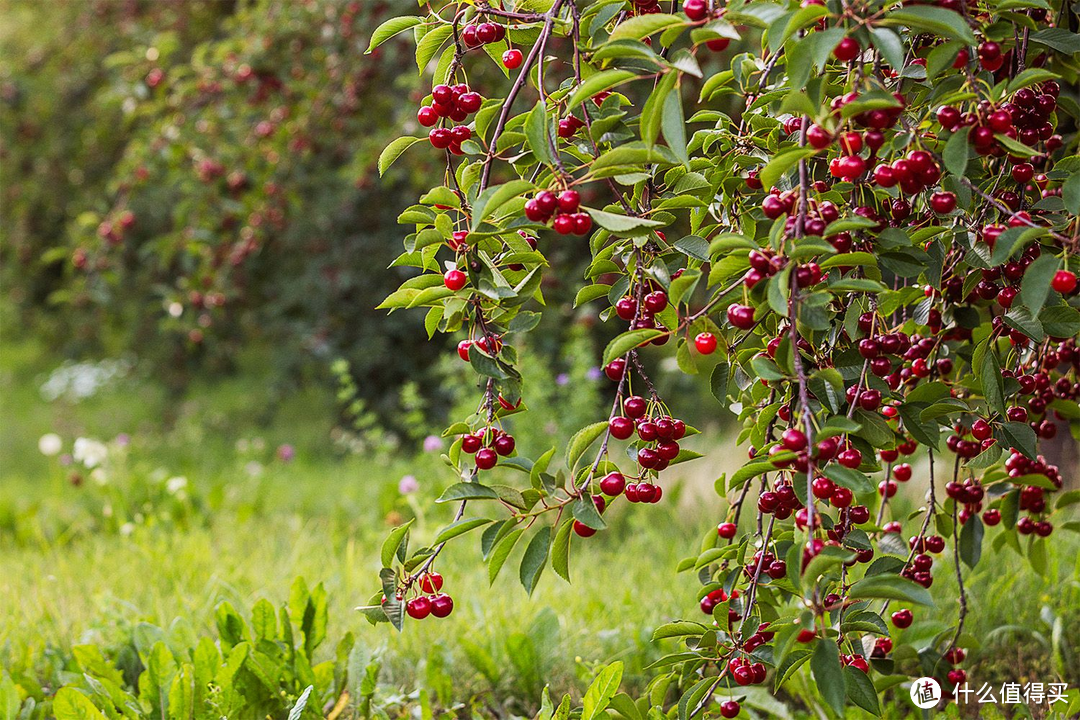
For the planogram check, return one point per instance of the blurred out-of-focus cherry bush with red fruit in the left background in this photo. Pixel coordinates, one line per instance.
(188, 178)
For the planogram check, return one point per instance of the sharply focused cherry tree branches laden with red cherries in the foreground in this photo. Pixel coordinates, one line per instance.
(859, 220)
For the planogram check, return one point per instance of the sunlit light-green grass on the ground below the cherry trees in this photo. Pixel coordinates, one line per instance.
(89, 564)
